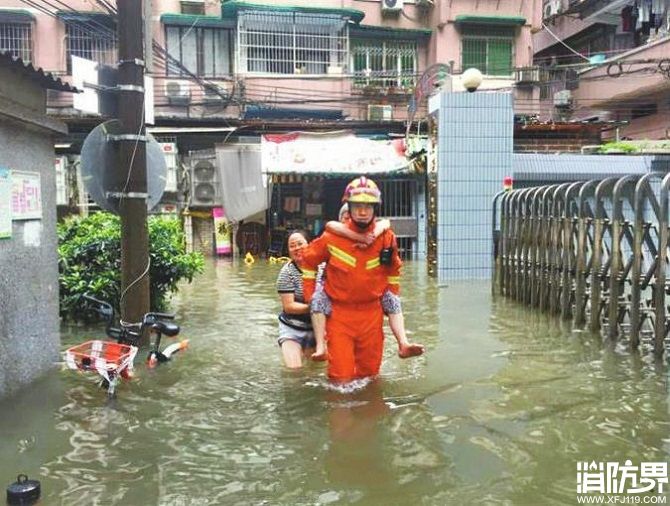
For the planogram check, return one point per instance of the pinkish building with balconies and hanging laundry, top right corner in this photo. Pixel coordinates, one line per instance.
(607, 60)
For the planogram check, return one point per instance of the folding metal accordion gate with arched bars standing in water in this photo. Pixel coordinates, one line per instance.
(592, 251)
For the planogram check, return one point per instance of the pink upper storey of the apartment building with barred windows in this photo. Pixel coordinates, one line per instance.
(236, 58)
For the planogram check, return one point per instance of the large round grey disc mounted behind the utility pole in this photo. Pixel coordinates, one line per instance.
(99, 162)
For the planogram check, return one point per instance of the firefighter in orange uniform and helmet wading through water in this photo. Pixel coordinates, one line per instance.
(355, 282)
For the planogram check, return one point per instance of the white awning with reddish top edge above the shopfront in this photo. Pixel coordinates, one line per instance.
(331, 154)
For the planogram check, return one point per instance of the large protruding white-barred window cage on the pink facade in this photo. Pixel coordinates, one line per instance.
(292, 43)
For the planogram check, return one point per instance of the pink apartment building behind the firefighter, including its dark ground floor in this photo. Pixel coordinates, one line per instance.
(231, 71)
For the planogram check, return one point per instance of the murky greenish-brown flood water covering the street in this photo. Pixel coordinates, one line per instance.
(499, 410)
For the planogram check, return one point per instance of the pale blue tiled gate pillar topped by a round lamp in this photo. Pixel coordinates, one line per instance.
(475, 143)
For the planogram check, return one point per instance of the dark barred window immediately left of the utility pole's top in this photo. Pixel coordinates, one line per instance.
(90, 41)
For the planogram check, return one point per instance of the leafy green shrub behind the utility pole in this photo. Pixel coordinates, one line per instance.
(89, 260)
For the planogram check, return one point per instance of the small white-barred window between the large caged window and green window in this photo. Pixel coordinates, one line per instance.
(384, 63)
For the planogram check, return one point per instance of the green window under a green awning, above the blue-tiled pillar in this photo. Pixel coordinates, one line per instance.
(489, 49)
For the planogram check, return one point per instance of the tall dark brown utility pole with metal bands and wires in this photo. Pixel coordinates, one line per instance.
(132, 170)
